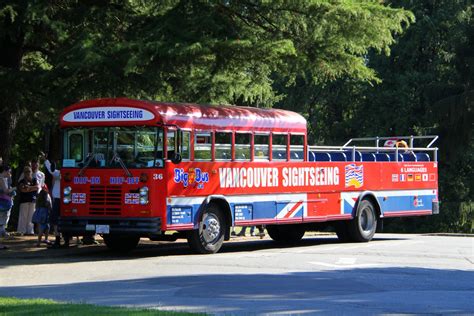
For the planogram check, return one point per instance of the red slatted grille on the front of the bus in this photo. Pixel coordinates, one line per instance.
(105, 200)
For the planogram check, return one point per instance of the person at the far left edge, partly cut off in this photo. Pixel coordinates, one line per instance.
(6, 198)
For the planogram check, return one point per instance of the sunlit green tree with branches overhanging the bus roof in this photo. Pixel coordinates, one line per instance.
(198, 51)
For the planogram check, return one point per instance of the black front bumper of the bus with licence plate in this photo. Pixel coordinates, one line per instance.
(99, 225)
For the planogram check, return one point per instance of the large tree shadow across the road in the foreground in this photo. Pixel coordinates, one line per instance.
(400, 290)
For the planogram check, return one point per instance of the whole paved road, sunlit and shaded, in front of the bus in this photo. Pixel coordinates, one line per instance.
(392, 274)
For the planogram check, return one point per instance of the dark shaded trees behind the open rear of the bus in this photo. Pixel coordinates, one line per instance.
(427, 88)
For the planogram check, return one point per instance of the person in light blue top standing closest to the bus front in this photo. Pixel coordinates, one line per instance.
(56, 196)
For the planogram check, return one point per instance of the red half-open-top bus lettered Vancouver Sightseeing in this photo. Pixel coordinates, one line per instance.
(163, 171)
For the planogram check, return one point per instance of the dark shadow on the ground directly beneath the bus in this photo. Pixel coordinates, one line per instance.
(22, 252)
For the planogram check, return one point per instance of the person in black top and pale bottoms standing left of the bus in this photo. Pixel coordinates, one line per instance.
(28, 188)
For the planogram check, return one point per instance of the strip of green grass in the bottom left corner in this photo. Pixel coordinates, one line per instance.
(15, 306)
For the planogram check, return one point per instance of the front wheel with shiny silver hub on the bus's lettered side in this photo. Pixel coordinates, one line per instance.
(209, 237)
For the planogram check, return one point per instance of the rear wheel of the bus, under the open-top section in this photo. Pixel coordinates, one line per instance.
(362, 228)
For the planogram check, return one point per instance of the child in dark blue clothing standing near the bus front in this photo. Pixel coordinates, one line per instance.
(41, 215)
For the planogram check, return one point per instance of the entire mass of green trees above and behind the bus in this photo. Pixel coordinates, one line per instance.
(348, 65)
